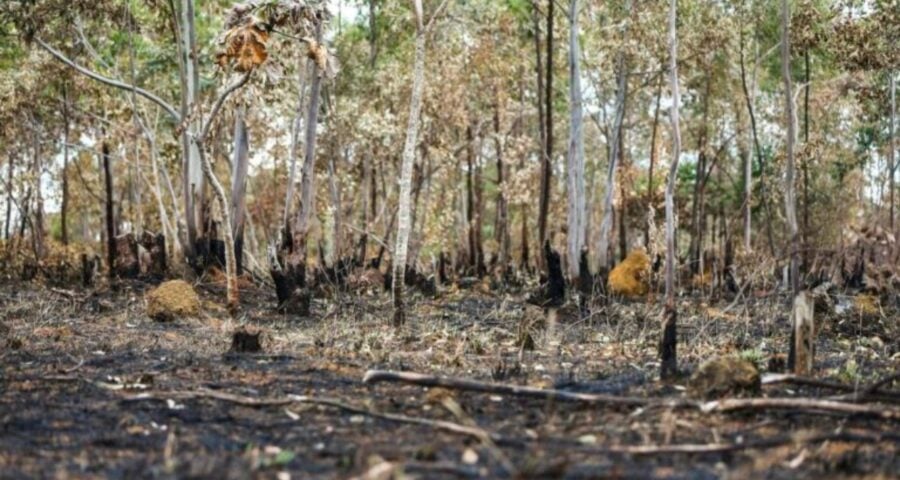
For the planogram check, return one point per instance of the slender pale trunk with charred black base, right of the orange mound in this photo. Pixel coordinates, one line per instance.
(668, 345)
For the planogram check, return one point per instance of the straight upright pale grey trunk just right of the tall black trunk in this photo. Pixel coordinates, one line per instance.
(575, 158)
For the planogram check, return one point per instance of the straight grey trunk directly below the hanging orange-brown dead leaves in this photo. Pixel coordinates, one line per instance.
(240, 164)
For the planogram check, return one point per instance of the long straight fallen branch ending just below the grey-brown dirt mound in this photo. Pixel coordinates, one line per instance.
(376, 376)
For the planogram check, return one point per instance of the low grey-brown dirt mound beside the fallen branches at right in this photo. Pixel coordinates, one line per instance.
(724, 376)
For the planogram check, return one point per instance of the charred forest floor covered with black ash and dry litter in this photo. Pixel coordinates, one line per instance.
(90, 387)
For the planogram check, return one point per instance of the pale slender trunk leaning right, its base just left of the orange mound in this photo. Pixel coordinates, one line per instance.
(614, 145)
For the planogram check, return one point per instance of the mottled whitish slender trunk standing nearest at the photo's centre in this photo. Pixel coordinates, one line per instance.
(409, 157)
